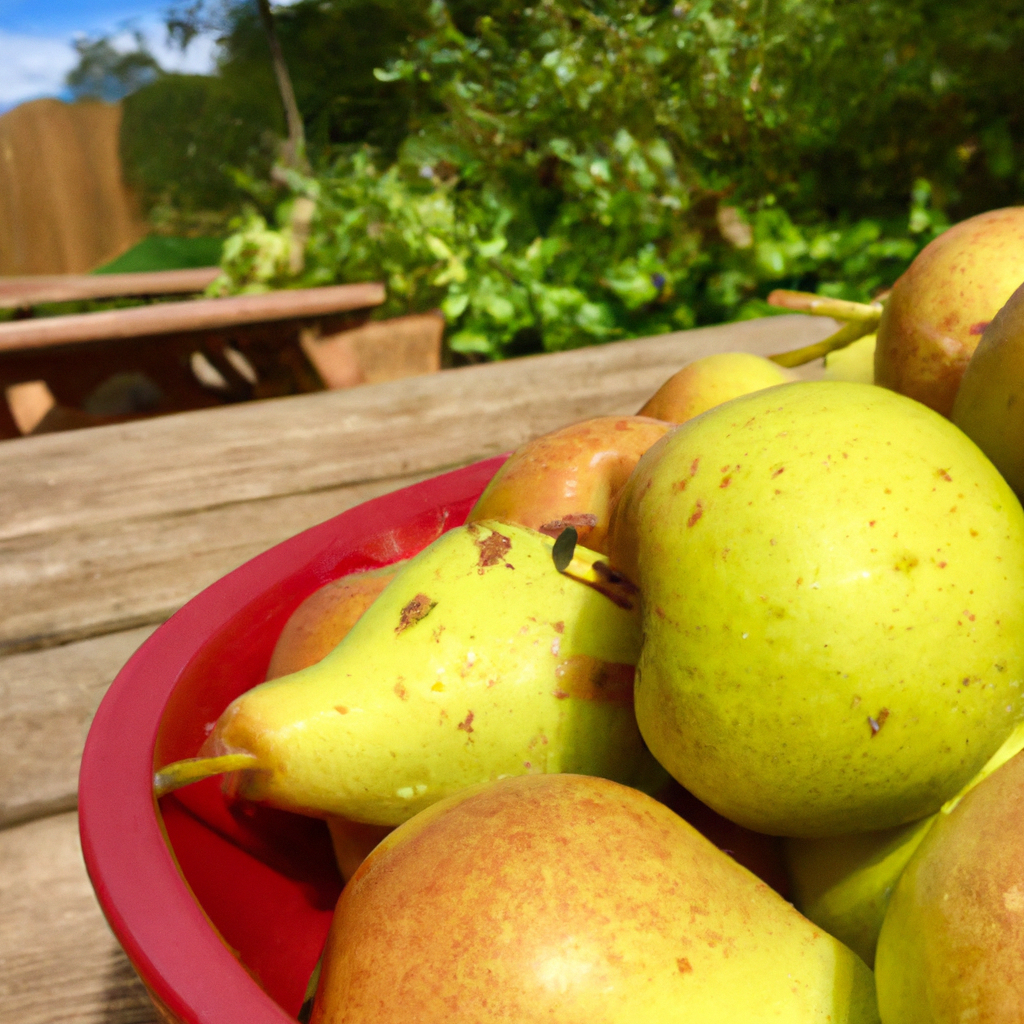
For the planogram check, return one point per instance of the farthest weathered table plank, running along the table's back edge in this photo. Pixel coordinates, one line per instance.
(317, 442)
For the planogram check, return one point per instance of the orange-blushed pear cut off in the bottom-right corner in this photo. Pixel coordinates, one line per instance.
(952, 948)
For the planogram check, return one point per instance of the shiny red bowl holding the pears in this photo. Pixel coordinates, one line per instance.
(224, 910)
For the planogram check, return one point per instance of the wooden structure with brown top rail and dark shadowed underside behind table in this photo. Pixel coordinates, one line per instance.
(74, 355)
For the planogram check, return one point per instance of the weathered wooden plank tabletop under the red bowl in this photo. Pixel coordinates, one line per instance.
(105, 533)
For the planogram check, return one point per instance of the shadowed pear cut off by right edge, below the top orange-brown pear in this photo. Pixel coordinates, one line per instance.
(990, 406)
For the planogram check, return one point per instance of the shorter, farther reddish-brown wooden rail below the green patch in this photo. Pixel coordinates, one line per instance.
(34, 289)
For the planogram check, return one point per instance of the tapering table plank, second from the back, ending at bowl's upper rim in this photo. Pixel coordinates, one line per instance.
(110, 577)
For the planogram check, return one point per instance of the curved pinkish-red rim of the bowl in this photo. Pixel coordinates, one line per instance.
(181, 958)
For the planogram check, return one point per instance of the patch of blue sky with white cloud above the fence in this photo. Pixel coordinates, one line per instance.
(37, 36)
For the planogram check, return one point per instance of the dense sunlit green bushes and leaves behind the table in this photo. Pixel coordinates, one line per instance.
(574, 172)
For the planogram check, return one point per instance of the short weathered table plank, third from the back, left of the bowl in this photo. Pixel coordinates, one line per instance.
(48, 700)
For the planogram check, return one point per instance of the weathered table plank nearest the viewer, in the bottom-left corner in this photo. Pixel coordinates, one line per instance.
(59, 961)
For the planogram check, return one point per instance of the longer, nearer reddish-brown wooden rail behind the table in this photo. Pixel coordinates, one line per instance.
(198, 315)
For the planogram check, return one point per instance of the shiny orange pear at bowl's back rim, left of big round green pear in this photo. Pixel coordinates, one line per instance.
(570, 478)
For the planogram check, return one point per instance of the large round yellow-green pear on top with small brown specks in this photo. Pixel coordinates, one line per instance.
(832, 584)
